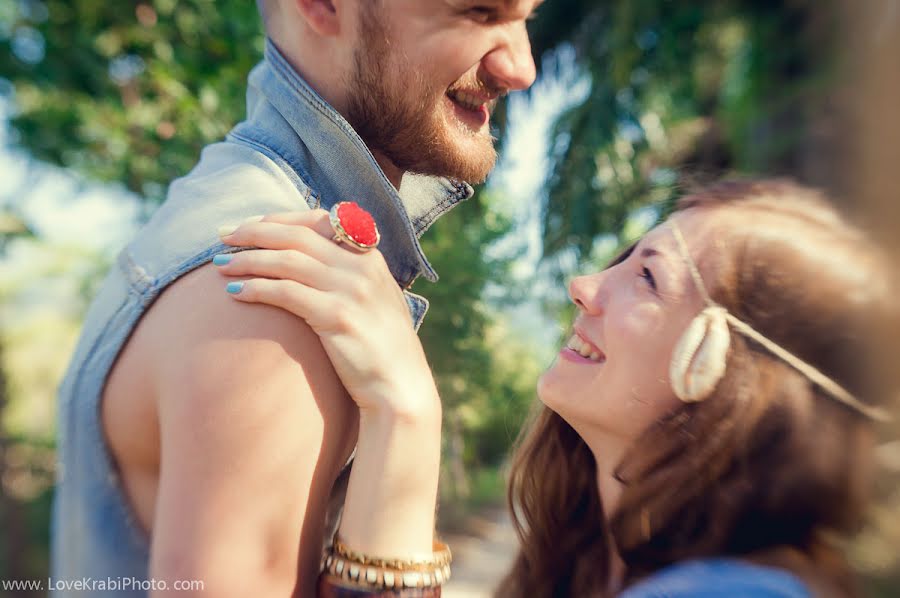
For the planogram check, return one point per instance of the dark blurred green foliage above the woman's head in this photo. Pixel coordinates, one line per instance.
(675, 88)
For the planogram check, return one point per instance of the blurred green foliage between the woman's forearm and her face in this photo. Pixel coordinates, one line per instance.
(485, 377)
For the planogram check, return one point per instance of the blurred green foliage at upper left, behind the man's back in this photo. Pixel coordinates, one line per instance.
(127, 92)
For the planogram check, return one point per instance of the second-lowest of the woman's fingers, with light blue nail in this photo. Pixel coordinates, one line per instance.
(286, 263)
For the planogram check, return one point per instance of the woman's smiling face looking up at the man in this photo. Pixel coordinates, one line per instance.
(612, 377)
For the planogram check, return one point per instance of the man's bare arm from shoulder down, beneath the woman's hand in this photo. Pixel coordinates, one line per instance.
(255, 426)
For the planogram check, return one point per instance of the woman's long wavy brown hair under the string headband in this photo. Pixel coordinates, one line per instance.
(768, 468)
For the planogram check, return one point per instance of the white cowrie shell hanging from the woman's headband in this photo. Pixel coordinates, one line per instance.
(699, 359)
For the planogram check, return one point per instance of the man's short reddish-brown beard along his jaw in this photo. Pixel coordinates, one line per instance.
(398, 114)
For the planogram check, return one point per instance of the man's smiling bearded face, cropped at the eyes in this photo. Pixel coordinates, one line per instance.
(427, 75)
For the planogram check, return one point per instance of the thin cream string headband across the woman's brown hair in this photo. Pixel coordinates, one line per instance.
(832, 388)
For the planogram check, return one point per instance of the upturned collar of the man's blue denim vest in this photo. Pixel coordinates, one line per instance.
(287, 117)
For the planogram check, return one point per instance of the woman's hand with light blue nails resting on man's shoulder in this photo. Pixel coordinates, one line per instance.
(349, 298)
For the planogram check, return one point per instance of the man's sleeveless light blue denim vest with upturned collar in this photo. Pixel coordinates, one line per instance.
(293, 152)
